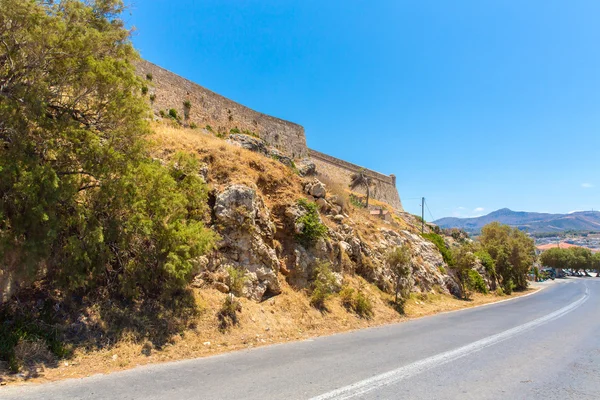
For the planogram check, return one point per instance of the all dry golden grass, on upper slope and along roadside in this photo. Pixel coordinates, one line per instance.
(286, 317)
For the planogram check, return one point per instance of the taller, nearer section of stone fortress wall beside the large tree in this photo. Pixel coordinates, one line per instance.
(208, 108)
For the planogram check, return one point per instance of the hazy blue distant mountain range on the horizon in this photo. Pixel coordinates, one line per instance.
(528, 221)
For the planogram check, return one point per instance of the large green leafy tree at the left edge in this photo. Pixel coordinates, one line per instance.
(81, 203)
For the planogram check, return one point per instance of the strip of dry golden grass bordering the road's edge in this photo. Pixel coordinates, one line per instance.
(284, 318)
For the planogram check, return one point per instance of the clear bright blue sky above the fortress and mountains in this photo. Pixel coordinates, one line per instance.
(476, 105)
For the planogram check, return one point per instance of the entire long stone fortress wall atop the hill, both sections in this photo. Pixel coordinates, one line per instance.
(170, 91)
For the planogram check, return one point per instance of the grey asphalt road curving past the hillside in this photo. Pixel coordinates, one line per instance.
(543, 346)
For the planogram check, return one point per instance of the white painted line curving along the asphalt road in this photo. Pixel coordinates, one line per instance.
(407, 371)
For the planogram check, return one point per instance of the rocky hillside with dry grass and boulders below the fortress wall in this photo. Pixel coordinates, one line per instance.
(256, 211)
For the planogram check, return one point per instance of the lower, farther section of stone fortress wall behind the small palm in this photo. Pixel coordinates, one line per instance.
(340, 171)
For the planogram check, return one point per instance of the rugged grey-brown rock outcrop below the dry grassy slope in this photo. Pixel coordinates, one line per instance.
(247, 231)
